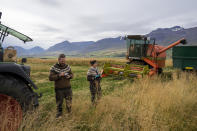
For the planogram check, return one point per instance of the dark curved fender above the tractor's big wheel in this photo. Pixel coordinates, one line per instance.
(17, 70)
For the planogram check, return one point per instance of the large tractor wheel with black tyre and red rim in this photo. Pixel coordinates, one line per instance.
(15, 98)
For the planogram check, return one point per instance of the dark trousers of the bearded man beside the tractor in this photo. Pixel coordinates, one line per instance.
(61, 94)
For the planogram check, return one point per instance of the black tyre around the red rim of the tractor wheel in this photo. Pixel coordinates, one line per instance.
(19, 90)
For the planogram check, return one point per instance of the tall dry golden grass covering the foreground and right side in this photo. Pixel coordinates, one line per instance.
(146, 104)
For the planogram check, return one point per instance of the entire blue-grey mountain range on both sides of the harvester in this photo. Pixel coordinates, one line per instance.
(164, 36)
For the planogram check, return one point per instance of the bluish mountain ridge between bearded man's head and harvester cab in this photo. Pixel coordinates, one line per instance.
(73, 48)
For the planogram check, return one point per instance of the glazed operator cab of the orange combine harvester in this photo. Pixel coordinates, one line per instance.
(137, 46)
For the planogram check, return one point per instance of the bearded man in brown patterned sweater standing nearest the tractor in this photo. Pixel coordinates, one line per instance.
(61, 73)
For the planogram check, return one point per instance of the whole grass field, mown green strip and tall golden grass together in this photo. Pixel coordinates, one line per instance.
(145, 104)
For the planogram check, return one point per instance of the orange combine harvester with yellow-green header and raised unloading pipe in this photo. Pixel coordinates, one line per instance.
(144, 58)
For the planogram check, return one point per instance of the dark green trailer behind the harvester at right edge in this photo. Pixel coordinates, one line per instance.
(185, 57)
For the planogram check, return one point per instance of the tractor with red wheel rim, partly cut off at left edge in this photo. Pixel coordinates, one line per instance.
(16, 88)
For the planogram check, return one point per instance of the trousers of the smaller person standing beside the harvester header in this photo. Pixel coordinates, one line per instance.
(95, 90)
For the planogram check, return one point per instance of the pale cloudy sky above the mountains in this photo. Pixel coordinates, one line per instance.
(51, 21)
